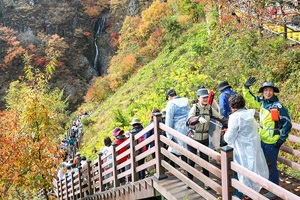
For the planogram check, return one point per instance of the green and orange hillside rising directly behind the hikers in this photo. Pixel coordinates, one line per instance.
(193, 48)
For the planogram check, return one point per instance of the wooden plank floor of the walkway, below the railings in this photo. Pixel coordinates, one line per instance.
(172, 188)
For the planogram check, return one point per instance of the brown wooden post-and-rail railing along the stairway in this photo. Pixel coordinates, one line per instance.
(92, 177)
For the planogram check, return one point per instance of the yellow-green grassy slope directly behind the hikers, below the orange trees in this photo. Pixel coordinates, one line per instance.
(185, 67)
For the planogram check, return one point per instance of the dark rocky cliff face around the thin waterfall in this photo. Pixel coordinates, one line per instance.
(65, 18)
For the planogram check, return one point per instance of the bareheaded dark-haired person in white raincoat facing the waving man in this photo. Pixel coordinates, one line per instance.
(242, 135)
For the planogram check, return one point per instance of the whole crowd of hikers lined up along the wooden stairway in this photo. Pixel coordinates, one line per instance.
(256, 139)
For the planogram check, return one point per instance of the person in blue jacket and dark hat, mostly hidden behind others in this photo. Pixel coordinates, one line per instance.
(226, 92)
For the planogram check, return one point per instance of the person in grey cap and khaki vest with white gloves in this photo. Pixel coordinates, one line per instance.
(199, 122)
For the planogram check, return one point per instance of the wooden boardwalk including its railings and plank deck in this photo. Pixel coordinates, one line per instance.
(89, 181)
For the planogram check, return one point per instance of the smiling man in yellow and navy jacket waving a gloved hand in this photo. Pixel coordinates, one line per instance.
(275, 124)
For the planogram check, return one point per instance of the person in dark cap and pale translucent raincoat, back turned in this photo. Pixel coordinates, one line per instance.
(177, 111)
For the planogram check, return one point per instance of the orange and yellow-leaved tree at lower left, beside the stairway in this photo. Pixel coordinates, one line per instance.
(30, 128)
